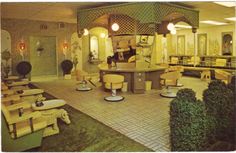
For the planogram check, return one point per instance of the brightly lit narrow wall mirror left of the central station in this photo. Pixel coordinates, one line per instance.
(93, 48)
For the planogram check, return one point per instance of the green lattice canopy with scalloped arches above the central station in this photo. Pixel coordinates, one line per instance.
(142, 12)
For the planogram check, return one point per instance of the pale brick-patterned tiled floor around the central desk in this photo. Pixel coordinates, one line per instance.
(142, 117)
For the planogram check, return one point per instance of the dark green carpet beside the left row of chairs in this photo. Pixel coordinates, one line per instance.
(87, 134)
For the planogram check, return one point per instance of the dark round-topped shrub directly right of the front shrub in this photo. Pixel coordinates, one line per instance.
(220, 108)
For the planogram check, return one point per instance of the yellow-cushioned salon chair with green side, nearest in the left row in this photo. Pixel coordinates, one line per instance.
(20, 130)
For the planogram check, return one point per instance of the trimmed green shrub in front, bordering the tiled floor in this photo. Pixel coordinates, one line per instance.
(187, 122)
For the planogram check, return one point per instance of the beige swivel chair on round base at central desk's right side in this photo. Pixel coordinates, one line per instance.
(169, 79)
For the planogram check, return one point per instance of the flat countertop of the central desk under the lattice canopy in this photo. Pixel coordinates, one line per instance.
(115, 69)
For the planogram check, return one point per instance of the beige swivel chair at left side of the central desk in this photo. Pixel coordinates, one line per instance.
(83, 78)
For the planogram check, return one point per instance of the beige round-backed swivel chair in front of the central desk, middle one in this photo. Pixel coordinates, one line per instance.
(113, 82)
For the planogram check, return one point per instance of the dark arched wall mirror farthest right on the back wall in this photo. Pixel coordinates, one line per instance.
(227, 43)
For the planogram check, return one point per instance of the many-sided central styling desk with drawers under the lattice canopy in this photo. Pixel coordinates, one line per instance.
(136, 77)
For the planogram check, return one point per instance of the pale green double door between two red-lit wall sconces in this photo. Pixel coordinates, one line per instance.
(43, 56)
